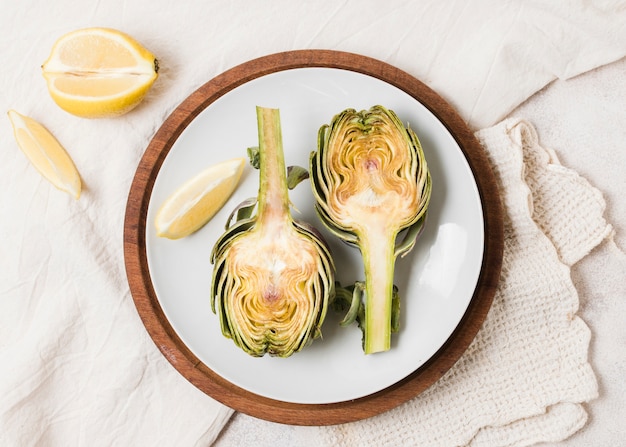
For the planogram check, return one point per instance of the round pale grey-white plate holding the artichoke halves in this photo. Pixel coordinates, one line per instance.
(436, 280)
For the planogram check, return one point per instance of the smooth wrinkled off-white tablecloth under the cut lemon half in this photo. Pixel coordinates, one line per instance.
(76, 365)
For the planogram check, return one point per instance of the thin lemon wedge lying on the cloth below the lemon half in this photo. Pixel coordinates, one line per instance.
(45, 153)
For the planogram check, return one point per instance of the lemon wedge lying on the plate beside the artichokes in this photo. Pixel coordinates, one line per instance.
(197, 200)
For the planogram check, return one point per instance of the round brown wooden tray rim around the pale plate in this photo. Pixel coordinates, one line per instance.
(179, 355)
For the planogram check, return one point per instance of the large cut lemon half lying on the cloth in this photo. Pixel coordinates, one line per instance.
(99, 72)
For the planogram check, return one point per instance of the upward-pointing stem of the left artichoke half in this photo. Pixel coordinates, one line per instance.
(273, 192)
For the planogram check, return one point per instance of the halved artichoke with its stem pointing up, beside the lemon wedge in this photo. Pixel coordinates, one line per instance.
(273, 276)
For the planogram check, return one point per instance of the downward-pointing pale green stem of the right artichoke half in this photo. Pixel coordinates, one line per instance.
(378, 259)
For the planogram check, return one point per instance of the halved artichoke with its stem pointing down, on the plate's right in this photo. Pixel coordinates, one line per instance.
(372, 188)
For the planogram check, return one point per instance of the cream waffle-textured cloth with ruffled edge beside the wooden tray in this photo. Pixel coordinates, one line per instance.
(524, 377)
